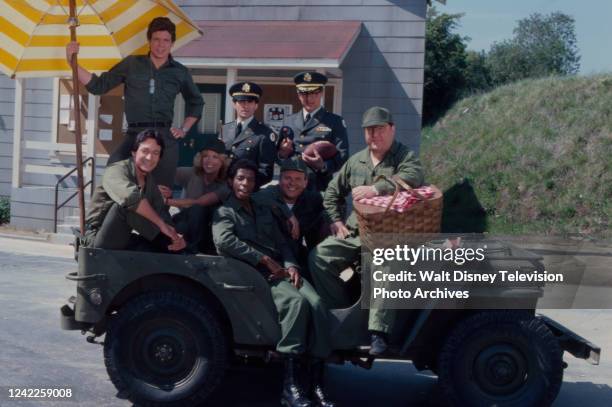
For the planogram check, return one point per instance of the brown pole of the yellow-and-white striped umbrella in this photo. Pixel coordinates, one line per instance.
(77, 118)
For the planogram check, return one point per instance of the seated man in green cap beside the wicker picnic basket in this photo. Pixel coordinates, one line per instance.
(383, 156)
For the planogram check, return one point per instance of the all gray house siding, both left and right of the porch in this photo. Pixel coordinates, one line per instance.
(384, 67)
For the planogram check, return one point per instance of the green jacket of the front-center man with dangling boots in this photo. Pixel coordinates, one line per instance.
(247, 237)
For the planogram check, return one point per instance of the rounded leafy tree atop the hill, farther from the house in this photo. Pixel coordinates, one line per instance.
(542, 45)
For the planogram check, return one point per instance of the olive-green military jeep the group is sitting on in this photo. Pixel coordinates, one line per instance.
(173, 324)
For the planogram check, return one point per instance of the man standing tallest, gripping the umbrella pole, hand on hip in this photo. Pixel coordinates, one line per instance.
(151, 84)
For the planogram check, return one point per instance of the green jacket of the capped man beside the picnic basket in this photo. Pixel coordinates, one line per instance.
(359, 170)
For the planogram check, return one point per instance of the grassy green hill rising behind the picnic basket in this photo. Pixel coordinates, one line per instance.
(538, 154)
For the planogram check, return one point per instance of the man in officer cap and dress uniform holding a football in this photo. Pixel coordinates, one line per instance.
(314, 123)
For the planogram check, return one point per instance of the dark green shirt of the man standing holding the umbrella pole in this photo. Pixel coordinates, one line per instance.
(136, 72)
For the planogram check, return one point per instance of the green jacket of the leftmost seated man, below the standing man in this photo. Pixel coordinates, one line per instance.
(119, 185)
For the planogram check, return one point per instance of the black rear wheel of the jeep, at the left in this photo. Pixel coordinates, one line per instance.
(165, 349)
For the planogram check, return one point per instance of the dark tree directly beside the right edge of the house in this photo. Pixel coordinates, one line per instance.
(445, 62)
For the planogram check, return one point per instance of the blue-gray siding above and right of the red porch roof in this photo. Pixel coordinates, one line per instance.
(388, 55)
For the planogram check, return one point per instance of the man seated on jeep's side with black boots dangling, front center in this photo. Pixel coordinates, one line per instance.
(247, 230)
